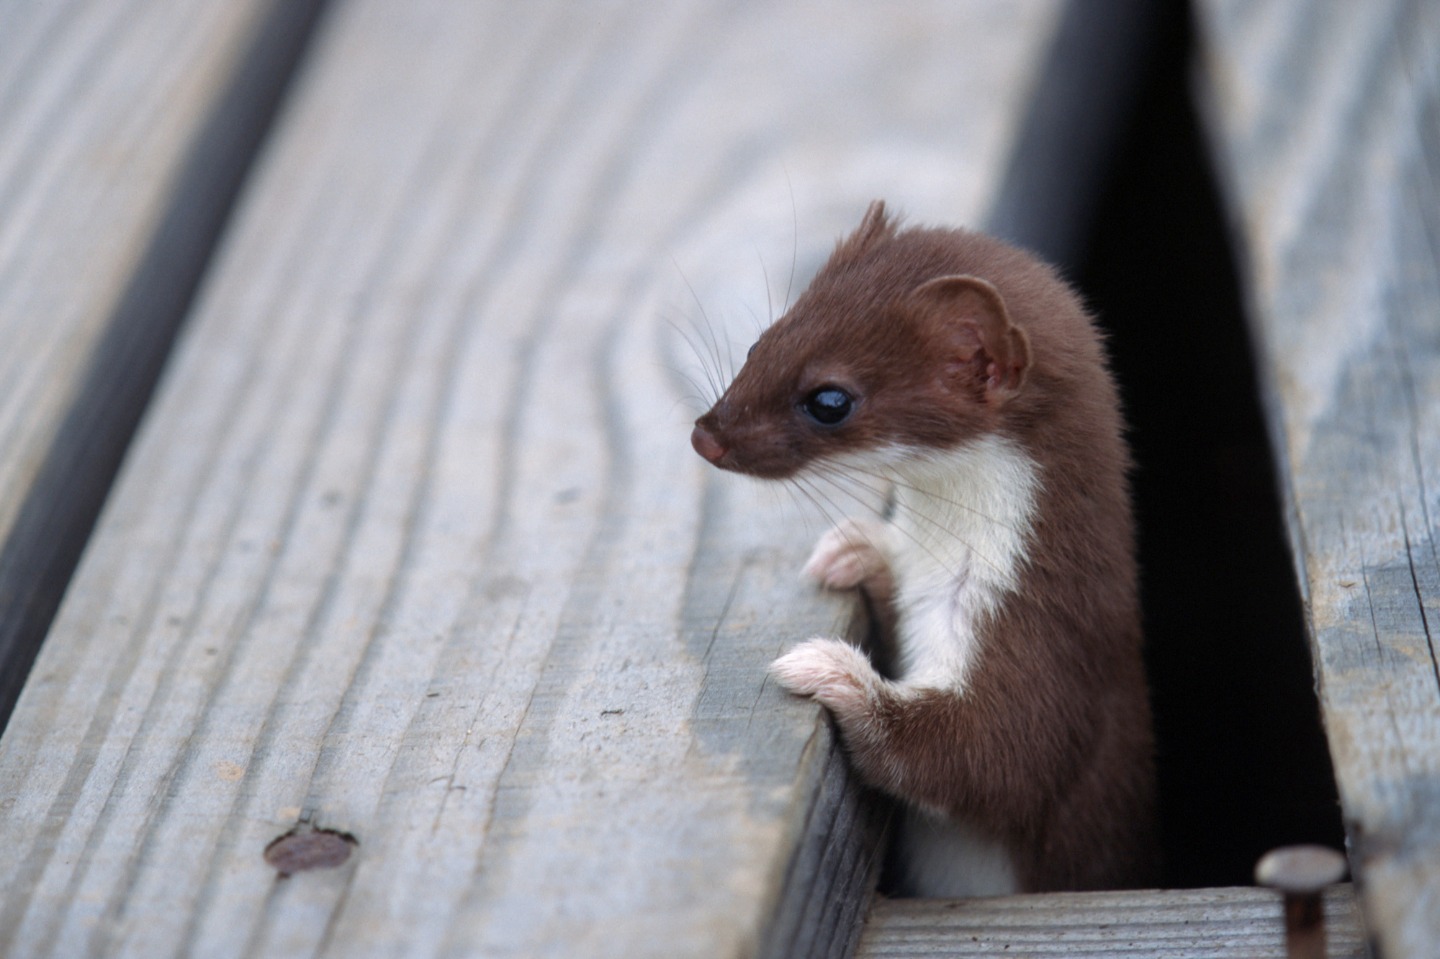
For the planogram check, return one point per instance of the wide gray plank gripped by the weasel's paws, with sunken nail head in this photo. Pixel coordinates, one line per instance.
(413, 545)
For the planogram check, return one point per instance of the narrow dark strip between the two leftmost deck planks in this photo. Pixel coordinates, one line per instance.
(55, 522)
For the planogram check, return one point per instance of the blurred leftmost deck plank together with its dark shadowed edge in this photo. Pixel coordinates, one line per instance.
(125, 130)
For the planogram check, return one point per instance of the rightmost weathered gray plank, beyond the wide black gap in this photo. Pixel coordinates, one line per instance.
(1327, 120)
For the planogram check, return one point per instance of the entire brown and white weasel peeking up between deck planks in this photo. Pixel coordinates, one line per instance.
(967, 378)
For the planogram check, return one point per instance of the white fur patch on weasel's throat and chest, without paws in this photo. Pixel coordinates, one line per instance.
(961, 529)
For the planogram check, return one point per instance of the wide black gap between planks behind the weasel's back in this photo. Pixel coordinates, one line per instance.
(1243, 761)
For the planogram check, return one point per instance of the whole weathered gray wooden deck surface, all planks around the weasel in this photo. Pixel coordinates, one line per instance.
(411, 545)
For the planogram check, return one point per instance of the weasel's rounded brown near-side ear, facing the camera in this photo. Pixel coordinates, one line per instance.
(978, 332)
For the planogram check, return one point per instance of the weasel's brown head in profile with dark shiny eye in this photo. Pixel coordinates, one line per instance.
(894, 351)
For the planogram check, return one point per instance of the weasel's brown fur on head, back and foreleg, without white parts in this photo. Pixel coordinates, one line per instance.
(941, 338)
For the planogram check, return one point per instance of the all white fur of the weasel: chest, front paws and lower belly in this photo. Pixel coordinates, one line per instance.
(954, 549)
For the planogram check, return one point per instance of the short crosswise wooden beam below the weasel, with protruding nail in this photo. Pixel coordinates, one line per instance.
(1202, 924)
